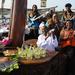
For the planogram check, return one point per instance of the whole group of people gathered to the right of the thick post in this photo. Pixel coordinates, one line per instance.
(51, 31)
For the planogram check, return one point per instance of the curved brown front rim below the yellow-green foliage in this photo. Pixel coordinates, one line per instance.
(38, 61)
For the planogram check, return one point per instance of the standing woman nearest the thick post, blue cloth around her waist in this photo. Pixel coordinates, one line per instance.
(32, 23)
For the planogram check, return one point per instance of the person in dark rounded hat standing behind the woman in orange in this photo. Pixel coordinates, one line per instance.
(68, 14)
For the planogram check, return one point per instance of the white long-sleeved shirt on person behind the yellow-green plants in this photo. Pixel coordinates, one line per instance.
(48, 44)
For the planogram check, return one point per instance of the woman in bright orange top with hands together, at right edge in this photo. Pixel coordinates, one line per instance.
(66, 34)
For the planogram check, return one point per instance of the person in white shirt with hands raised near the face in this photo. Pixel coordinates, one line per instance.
(48, 40)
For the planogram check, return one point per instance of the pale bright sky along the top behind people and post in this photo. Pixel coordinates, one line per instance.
(50, 3)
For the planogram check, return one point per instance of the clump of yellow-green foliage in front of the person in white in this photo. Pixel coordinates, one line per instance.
(31, 52)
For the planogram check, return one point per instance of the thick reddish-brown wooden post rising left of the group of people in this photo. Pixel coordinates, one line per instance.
(18, 21)
